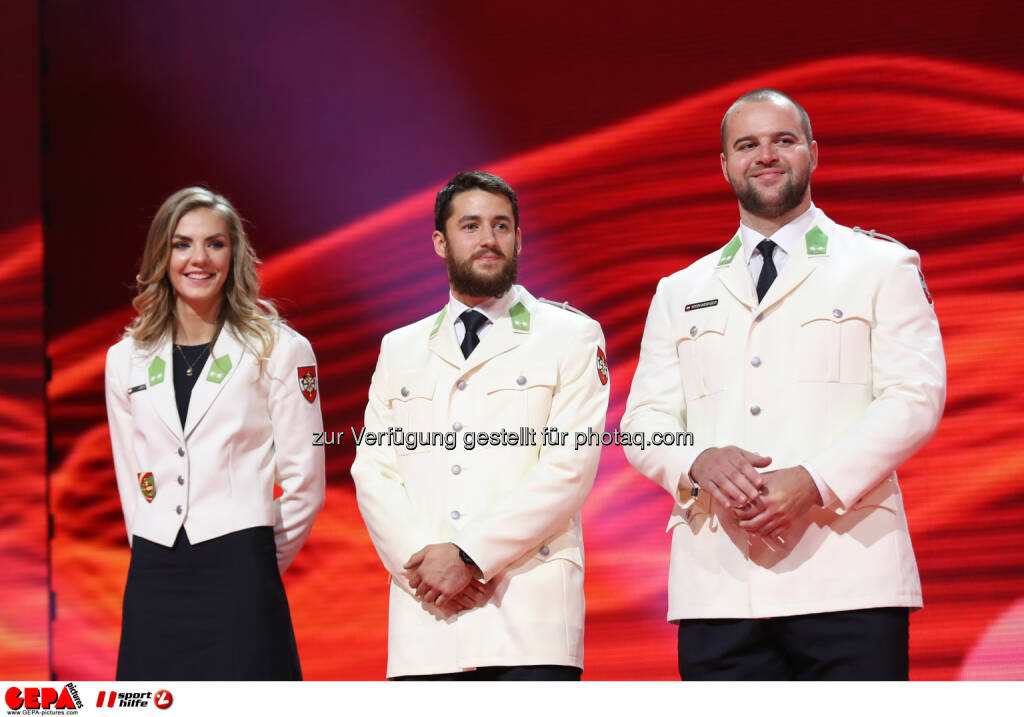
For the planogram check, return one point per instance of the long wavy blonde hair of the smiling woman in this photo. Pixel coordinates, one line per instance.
(250, 318)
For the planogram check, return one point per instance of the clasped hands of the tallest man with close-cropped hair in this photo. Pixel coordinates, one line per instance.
(764, 504)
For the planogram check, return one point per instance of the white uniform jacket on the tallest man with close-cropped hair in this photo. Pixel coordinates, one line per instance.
(840, 367)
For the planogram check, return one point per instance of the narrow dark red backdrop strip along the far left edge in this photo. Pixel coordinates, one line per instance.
(25, 598)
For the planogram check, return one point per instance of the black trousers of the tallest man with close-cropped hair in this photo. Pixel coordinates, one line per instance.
(864, 645)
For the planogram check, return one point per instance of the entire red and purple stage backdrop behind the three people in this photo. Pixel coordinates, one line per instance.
(332, 125)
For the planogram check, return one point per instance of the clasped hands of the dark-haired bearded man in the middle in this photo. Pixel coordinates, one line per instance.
(439, 576)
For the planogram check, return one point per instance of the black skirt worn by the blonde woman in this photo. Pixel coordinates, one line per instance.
(216, 611)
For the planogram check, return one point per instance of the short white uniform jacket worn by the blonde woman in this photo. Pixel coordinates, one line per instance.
(244, 435)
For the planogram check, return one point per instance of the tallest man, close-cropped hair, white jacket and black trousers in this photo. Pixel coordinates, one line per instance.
(806, 360)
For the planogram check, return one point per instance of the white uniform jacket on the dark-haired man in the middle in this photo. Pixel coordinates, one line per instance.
(515, 510)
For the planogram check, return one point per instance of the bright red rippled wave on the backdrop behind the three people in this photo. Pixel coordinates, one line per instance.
(927, 151)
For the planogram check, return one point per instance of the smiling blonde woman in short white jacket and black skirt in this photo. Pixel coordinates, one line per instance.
(212, 403)
